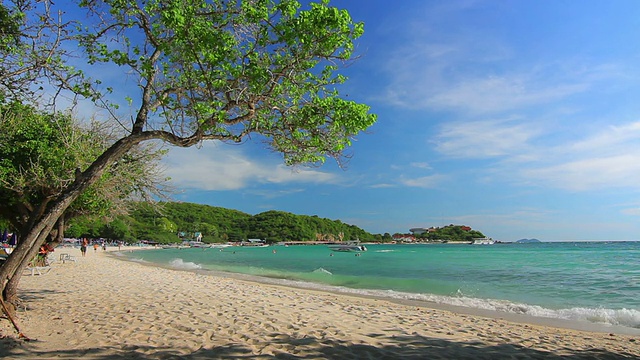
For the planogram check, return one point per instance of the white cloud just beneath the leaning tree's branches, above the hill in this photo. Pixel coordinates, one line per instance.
(220, 167)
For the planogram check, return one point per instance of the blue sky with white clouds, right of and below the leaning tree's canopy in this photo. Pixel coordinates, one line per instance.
(520, 119)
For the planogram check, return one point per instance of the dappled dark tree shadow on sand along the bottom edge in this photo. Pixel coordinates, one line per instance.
(397, 347)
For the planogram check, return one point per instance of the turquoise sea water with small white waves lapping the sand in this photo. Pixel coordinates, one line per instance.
(597, 282)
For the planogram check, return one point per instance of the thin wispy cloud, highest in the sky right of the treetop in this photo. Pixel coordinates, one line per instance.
(437, 77)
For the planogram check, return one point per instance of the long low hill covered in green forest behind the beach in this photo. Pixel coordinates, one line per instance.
(216, 225)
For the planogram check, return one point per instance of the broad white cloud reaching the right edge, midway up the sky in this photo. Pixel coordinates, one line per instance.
(527, 153)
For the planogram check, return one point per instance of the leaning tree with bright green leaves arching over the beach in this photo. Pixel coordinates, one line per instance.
(215, 70)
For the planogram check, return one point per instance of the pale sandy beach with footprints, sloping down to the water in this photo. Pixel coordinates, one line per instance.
(102, 307)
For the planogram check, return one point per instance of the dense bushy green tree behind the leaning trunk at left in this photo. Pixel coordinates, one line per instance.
(39, 156)
